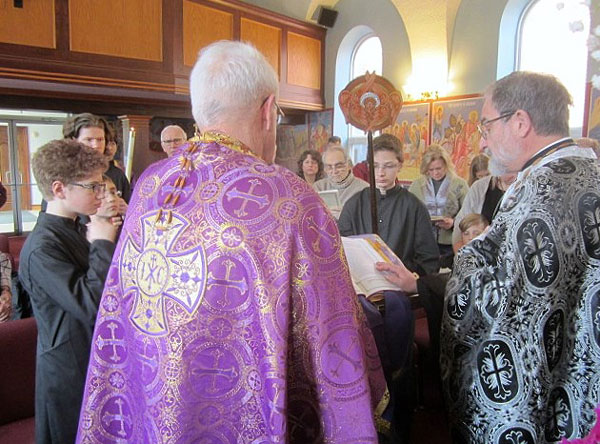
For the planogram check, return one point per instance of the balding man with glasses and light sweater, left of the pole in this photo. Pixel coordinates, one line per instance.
(339, 177)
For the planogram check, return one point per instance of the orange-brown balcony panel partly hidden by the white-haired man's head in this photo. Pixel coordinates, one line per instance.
(201, 26)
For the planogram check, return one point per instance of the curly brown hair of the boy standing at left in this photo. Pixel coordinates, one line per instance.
(67, 161)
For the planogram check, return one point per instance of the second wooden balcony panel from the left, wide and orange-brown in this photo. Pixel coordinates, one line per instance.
(121, 28)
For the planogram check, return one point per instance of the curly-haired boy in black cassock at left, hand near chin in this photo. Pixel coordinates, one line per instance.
(64, 273)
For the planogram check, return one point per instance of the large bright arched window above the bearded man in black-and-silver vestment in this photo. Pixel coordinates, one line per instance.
(553, 39)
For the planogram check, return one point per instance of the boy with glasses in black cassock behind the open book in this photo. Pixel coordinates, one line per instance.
(403, 221)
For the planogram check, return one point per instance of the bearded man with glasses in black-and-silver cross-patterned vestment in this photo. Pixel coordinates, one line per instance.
(520, 349)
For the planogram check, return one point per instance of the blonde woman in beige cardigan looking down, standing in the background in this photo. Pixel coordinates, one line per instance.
(442, 192)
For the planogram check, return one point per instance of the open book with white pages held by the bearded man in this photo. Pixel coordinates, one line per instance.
(362, 252)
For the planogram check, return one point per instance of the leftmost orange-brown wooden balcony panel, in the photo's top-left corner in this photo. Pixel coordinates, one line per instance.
(31, 25)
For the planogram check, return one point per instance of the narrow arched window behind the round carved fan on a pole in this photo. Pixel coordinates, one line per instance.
(367, 56)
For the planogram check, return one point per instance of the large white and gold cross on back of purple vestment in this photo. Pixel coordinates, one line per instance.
(153, 271)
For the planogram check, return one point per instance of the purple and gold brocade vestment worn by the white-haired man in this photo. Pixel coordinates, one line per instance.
(229, 315)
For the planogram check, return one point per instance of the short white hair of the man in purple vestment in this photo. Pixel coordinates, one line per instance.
(228, 78)
